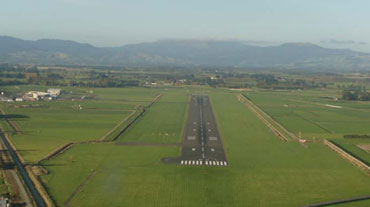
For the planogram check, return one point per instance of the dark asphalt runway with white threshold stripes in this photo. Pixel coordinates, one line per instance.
(202, 143)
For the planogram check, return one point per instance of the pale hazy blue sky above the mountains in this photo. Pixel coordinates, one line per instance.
(118, 22)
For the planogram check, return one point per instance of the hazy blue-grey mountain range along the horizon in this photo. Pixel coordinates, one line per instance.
(182, 53)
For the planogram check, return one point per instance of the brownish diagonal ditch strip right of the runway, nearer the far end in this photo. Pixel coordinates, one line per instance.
(260, 114)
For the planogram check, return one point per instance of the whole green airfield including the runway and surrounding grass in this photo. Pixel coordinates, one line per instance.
(103, 167)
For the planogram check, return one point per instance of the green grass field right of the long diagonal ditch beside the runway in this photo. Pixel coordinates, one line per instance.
(306, 112)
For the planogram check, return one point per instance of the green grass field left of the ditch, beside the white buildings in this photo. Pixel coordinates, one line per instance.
(50, 124)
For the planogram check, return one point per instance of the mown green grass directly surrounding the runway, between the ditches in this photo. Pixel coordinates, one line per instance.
(262, 171)
